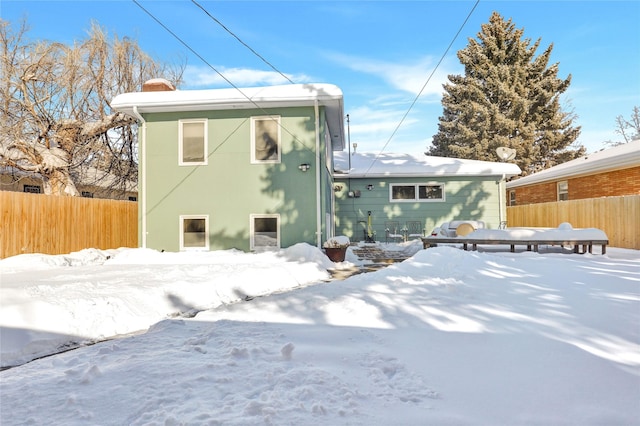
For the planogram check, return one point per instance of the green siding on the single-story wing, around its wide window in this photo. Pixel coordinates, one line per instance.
(465, 198)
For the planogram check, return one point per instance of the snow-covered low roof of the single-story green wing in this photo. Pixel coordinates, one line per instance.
(367, 164)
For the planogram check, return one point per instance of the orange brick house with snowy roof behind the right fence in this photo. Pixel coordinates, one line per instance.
(610, 172)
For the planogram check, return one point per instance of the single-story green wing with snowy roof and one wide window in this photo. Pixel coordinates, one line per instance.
(401, 188)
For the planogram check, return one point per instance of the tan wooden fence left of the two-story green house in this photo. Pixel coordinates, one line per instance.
(36, 223)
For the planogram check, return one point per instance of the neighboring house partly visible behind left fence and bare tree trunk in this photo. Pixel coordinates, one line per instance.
(92, 184)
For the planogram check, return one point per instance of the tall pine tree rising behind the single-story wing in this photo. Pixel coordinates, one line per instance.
(507, 97)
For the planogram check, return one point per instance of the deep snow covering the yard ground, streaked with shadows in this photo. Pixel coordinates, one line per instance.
(445, 337)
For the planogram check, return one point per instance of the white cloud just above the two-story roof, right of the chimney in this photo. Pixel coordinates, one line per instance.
(205, 77)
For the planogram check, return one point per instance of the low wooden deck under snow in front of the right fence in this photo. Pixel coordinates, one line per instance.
(579, 246)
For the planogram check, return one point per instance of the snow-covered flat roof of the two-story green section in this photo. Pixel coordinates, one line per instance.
(291, 95)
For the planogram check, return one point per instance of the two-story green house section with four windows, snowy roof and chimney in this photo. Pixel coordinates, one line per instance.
(246, 168)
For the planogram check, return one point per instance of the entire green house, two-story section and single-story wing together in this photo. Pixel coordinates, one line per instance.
(256, 168)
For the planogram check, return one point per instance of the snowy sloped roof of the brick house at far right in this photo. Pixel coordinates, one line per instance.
(619, 157)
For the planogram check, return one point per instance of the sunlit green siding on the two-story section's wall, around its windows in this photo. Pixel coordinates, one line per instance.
(229, 188)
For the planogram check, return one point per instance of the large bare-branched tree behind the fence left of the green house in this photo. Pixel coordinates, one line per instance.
(56, 121)
